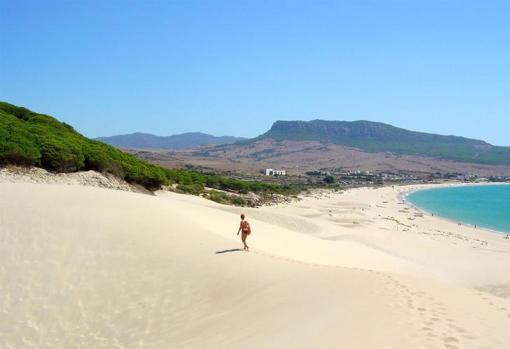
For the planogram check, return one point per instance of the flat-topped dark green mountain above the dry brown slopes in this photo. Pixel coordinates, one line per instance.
(379, 137)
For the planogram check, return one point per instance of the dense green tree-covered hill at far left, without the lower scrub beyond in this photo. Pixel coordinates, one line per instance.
(32, 139)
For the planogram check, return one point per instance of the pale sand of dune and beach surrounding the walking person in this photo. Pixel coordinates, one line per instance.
(96, 268)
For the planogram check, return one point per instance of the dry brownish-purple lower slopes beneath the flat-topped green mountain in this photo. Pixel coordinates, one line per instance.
(300, 157)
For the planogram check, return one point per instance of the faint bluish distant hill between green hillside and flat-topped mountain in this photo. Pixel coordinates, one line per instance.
(184, 140)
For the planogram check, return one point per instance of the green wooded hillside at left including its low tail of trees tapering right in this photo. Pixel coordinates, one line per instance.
(32, 139)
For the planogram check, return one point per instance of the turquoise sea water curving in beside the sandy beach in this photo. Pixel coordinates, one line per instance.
(486, 206)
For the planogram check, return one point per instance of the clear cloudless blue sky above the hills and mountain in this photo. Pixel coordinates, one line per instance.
(234, 67)
